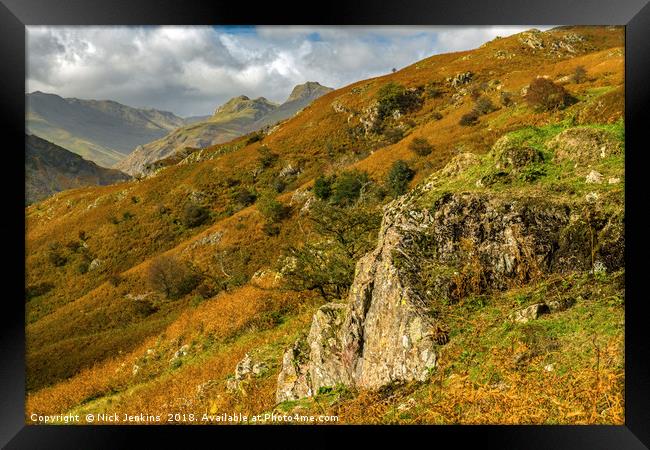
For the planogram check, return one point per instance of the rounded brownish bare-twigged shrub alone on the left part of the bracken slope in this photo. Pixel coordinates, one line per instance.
(171, 277)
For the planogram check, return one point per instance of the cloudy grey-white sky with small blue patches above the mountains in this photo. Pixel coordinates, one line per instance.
(191, 70)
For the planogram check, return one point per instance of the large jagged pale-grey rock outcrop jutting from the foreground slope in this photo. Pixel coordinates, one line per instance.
(464, 244)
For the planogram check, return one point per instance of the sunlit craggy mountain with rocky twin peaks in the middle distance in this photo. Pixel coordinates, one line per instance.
(238, 116)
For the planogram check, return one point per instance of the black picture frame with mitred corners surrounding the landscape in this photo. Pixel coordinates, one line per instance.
(634, 14)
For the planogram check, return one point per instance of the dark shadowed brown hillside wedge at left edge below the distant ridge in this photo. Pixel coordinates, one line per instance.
(50, 169)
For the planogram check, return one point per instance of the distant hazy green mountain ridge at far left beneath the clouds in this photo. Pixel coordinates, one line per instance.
(102, 131)
